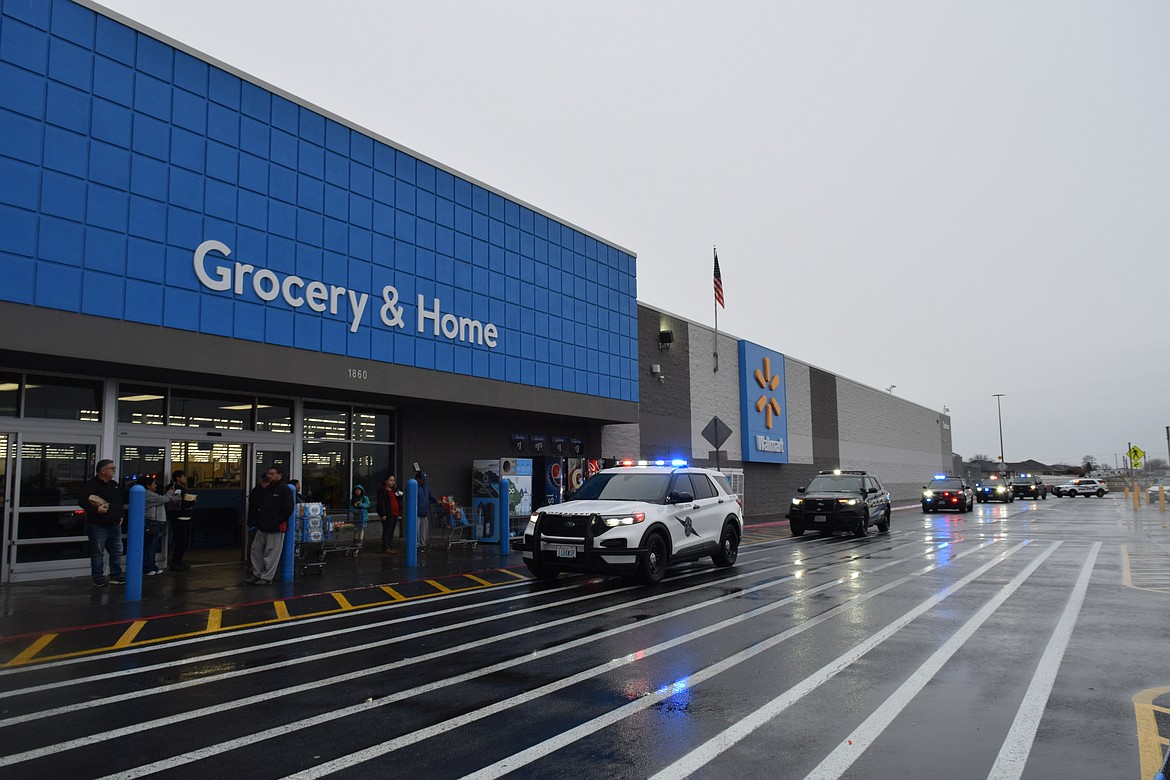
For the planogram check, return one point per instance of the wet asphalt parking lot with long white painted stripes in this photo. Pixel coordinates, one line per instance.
(1021, 640)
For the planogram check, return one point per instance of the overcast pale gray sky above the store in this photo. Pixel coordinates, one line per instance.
(959, 199)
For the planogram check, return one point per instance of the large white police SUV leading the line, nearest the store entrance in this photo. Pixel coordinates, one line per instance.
(635, 521)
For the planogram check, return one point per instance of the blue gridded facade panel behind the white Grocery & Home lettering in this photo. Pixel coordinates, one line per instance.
(121, 156)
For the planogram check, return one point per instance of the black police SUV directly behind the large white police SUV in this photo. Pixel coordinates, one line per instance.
(841, 501)
